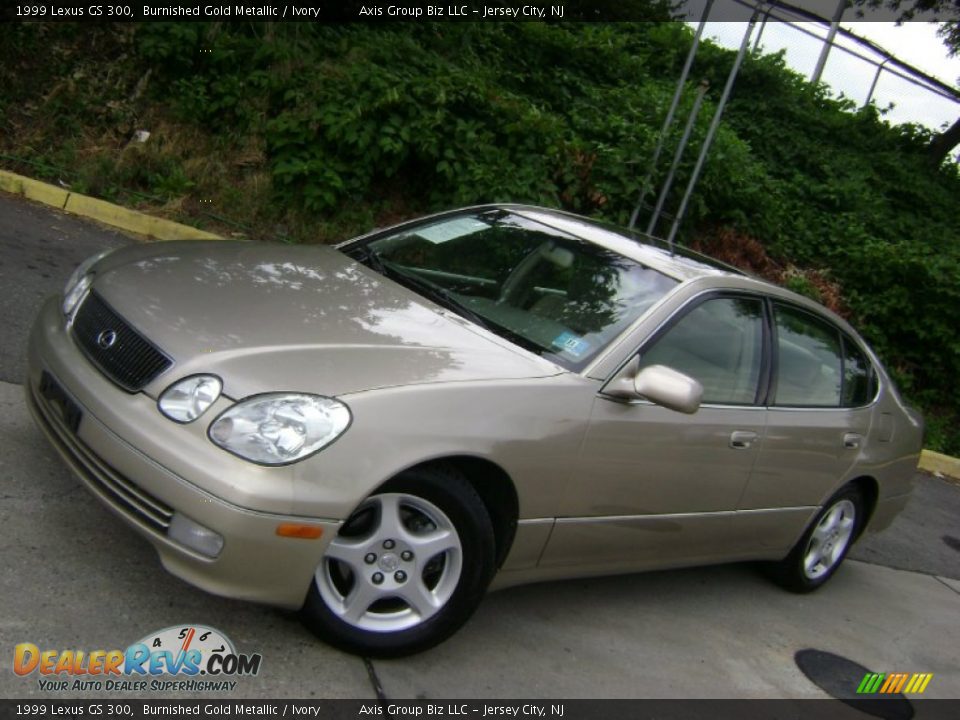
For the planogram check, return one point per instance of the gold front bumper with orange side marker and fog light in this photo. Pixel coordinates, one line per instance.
(110, 451)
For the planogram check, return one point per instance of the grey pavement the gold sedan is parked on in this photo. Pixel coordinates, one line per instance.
(75, 576)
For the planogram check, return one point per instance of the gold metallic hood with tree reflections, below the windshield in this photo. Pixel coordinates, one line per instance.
(268, 317)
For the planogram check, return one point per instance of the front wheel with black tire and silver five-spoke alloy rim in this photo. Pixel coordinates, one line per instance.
(407, 568)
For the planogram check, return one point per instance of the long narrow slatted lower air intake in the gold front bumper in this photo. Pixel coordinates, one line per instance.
(120, 491)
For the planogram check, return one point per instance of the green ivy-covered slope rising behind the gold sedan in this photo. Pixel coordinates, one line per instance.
(309, 133)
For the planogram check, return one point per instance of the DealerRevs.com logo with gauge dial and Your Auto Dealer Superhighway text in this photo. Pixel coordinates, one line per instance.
(182, 658)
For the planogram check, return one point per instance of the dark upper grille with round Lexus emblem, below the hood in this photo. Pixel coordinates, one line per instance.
(123, 354)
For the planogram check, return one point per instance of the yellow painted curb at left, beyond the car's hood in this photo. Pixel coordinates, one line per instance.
(100, 210)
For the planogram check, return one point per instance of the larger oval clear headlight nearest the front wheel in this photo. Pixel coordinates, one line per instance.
(280, 428)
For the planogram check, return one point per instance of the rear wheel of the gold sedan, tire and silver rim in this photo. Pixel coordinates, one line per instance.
(821, 550)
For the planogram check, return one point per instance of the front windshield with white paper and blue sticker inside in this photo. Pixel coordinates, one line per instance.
(551, 293)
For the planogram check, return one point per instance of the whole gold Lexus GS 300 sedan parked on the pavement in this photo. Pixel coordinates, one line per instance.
(504, 394)
